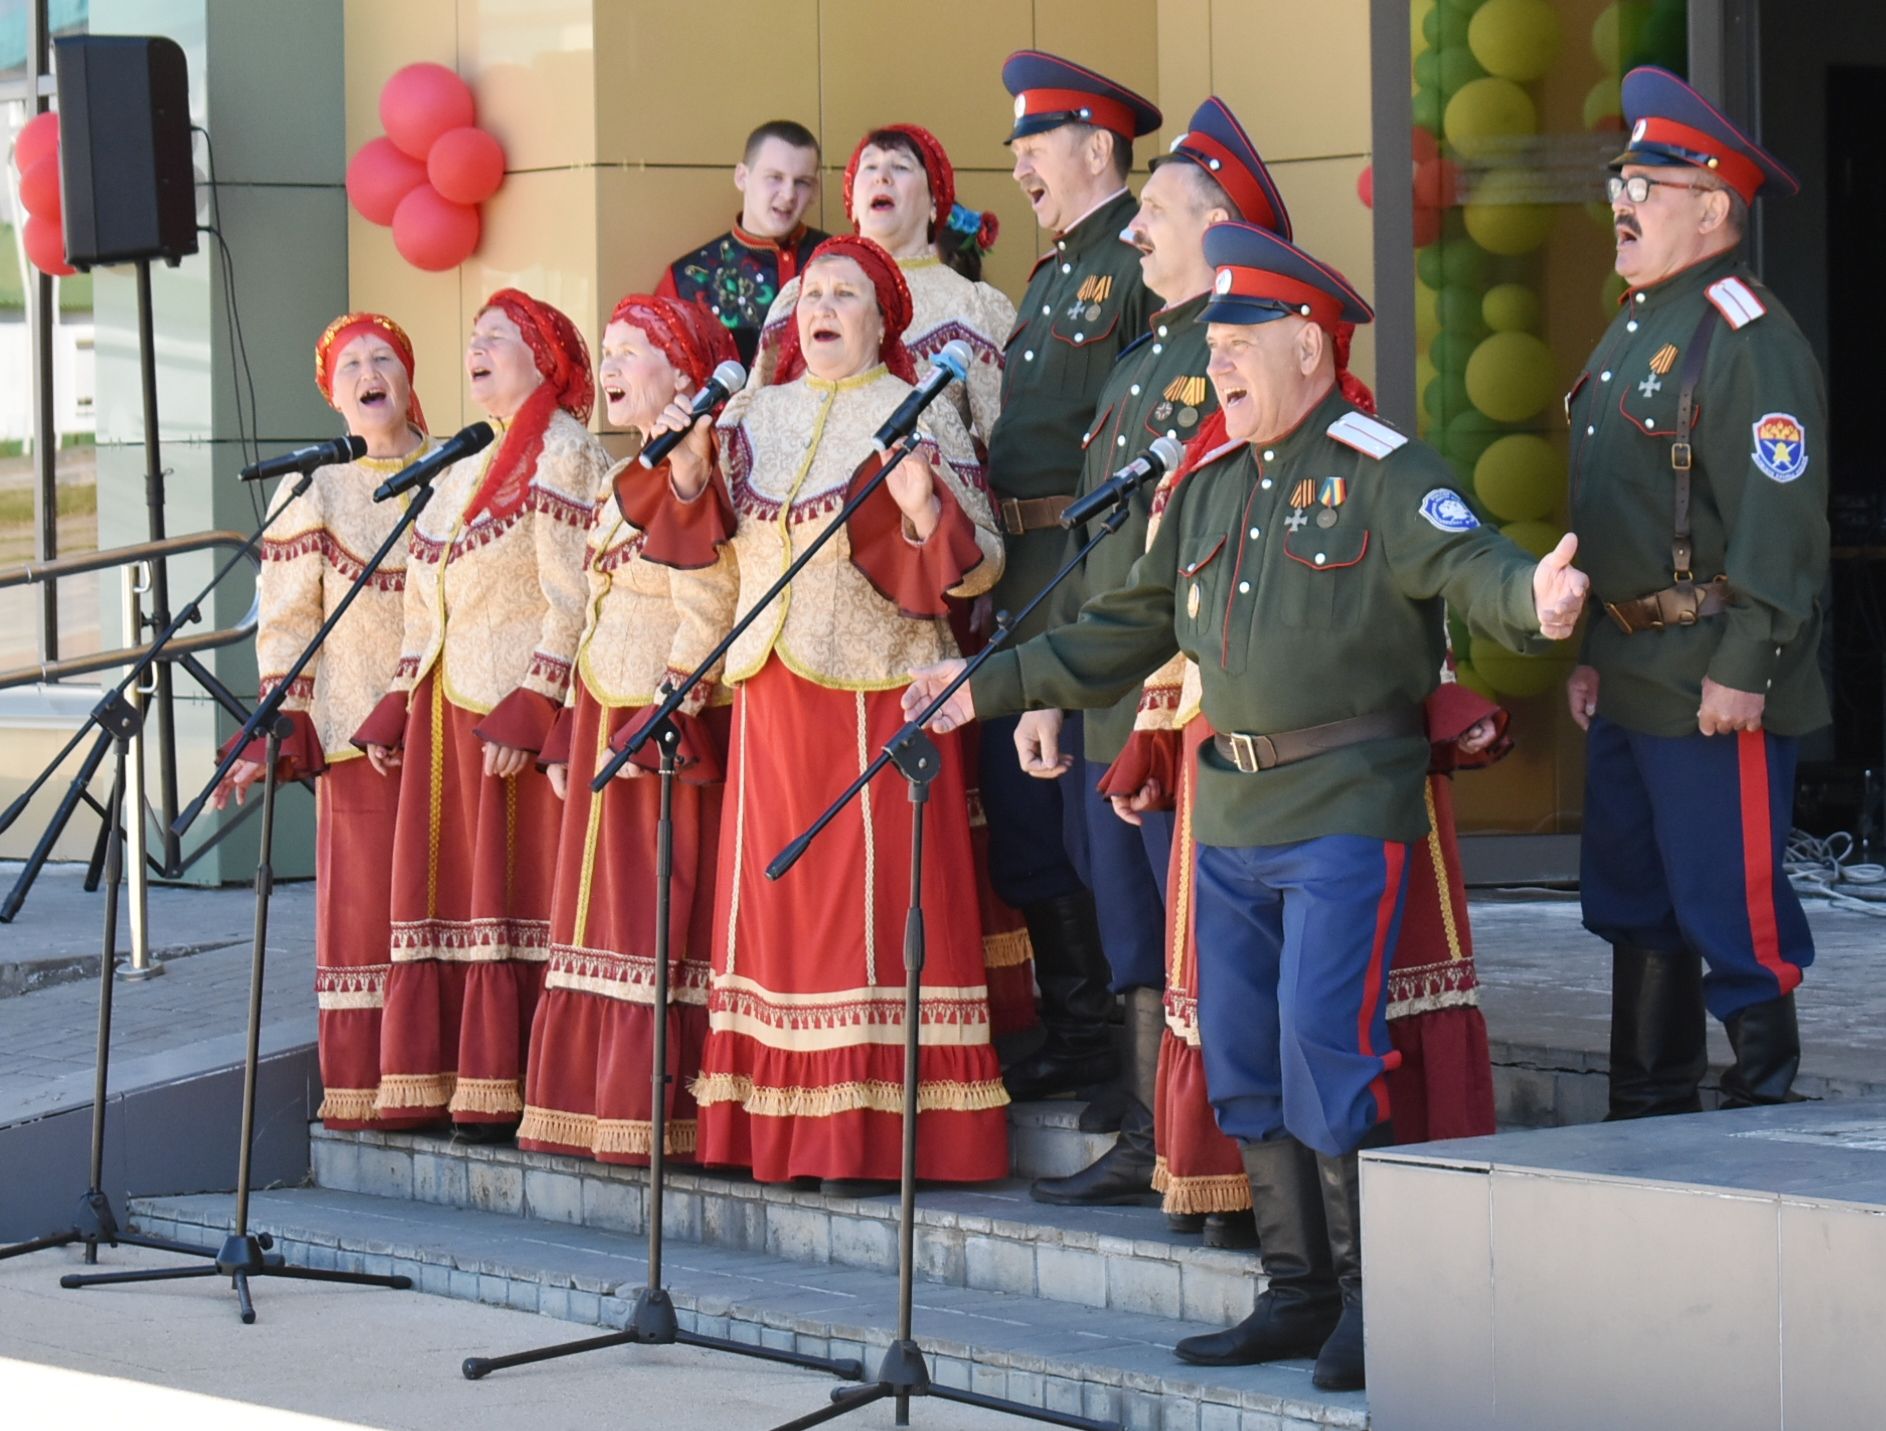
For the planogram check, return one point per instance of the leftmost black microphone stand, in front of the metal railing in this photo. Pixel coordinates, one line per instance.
(118, 723)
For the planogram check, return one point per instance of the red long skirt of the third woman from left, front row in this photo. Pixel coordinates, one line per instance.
(591, 1049)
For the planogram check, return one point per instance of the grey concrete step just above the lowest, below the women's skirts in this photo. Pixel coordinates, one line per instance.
(985, 1238)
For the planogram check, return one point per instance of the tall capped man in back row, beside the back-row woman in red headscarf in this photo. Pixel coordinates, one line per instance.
(1074, 148)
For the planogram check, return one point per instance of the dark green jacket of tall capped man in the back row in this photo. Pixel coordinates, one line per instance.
(1085, 303)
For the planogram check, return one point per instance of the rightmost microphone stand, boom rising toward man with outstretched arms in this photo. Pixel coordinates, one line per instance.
(904, 1373)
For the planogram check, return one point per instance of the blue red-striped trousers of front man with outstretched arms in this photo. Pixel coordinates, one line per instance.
(1293, 987)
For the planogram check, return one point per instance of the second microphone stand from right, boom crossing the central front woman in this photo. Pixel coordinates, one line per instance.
(653, 1319)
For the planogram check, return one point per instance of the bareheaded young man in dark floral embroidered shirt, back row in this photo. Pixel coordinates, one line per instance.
(740, 274)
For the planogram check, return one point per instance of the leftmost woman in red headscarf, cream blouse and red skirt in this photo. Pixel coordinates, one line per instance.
(316, 546)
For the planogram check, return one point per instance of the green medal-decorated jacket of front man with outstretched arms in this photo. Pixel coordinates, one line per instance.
(1295, 623)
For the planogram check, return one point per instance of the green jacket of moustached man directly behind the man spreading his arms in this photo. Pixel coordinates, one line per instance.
(1157, 389)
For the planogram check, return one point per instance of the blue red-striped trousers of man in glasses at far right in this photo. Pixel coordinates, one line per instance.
(1683, 849)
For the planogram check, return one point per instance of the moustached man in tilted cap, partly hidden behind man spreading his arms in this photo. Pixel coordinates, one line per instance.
(1157, 387)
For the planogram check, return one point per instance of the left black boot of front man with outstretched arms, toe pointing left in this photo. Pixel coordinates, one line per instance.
(1300, 1308)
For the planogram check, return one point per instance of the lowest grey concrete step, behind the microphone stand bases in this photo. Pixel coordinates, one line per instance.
(1097, 1362)
